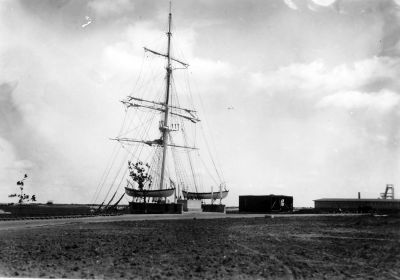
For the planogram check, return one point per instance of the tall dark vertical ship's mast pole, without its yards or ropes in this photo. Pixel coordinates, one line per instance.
(165, 125)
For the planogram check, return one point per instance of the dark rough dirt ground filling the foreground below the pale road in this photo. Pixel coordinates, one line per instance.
(342, 247)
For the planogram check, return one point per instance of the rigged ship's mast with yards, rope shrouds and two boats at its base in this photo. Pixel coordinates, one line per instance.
(159, 135)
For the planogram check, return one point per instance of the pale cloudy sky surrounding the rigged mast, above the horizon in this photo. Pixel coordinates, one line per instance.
(313, 83)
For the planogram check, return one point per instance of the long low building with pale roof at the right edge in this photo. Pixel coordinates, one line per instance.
(357, 205)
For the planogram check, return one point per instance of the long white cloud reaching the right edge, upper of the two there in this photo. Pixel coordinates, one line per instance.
(317, 78)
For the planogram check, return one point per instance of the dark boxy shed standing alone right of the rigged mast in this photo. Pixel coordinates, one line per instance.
(265, 203)
